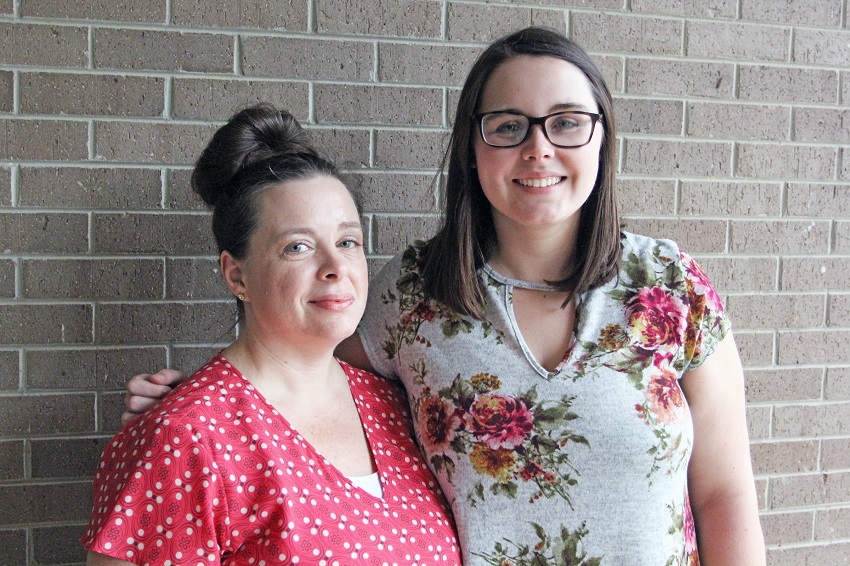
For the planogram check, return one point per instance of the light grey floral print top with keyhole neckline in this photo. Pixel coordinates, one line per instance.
(583, 465)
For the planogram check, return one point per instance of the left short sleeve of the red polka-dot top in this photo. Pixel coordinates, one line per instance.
(157, 497)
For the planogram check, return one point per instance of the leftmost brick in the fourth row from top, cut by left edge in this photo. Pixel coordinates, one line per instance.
(44, 140)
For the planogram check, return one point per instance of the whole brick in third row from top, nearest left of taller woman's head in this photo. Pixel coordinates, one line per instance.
(352, 104)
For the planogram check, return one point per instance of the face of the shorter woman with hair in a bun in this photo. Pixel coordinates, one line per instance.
(304, 279)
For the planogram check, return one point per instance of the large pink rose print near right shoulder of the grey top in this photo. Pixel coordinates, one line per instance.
(656, 318)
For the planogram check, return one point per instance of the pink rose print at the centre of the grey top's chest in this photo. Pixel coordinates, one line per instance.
(500, 421)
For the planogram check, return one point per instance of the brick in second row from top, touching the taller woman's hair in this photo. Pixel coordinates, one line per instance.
(425, 64)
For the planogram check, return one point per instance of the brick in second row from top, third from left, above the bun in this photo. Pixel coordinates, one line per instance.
(307, 58)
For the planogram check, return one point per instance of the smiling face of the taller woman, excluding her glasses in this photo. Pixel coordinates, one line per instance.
(537, 184)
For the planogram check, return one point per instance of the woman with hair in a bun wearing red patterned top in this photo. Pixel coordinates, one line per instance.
(274, 452)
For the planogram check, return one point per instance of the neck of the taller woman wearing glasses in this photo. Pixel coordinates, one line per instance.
(534, 254)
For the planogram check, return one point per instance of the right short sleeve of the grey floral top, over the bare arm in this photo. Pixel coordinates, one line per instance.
(707, 324)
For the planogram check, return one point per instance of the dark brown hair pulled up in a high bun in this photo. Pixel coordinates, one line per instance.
(257, 148)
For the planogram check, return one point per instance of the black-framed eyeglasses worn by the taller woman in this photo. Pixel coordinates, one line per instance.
(562, 129)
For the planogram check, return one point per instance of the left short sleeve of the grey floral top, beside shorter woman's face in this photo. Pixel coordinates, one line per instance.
(382, 318)
